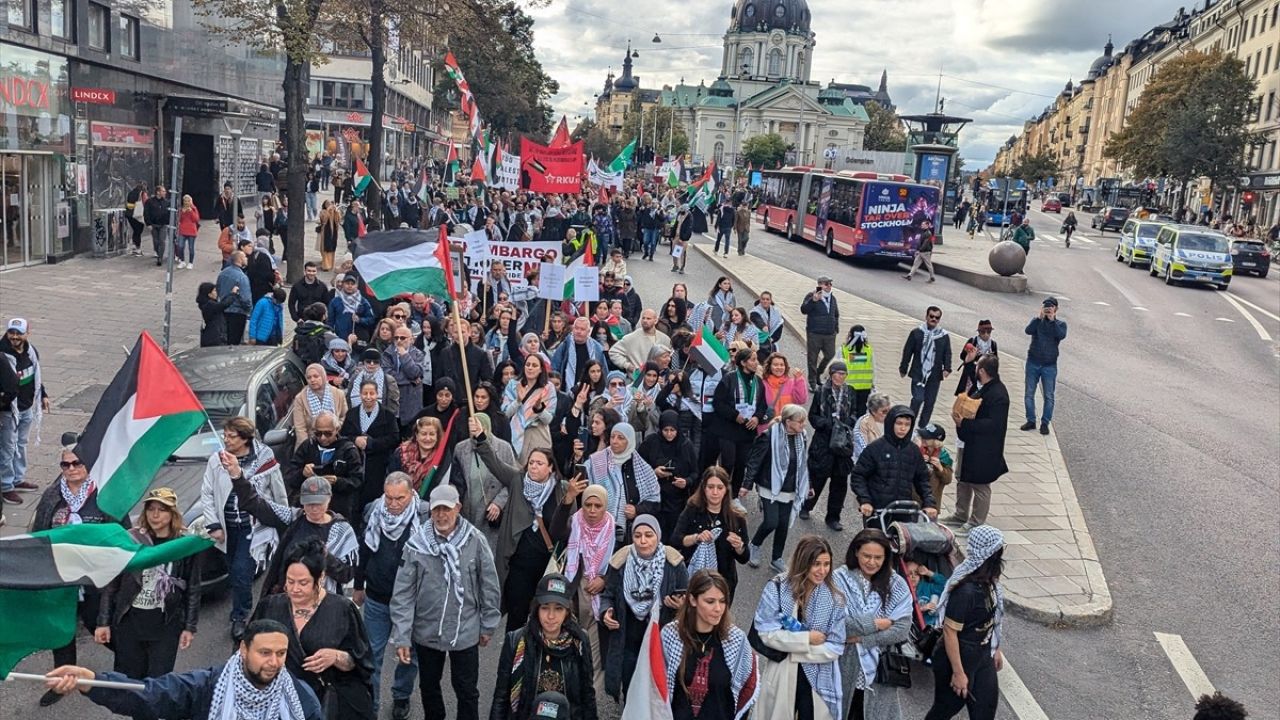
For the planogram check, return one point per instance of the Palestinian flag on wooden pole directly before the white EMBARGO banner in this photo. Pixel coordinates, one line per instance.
(397, 262)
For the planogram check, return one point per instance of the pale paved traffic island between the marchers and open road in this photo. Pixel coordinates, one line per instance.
(1052, 568)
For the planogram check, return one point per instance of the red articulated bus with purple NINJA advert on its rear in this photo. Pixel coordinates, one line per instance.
(860, 215)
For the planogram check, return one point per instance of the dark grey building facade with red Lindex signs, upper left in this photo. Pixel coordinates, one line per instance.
(90, 93)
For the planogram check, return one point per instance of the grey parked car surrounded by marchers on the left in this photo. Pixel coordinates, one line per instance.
(258, 382)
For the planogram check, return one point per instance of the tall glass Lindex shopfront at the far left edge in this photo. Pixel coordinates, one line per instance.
(36, 177)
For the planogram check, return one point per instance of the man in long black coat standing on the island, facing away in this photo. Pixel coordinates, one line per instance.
(982, 461)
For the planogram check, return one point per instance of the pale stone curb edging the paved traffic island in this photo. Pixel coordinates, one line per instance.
(1099, 610)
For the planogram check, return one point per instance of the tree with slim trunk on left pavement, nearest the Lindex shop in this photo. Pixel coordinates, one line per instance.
(275, 26)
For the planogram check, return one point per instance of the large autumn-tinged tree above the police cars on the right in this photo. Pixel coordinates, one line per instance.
(1191, 122)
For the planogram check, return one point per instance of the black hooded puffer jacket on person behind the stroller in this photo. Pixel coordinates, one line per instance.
(892, 467)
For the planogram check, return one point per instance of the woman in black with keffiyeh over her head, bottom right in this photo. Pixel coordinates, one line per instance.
(972, 610)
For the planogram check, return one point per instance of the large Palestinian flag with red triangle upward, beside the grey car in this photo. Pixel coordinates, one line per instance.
(145, 414)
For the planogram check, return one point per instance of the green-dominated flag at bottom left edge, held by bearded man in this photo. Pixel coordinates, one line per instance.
(40, 575)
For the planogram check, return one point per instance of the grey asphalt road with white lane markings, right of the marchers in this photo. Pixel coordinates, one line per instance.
(1167, 414)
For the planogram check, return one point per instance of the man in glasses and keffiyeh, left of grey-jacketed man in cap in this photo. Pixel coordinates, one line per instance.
(390, 522)
